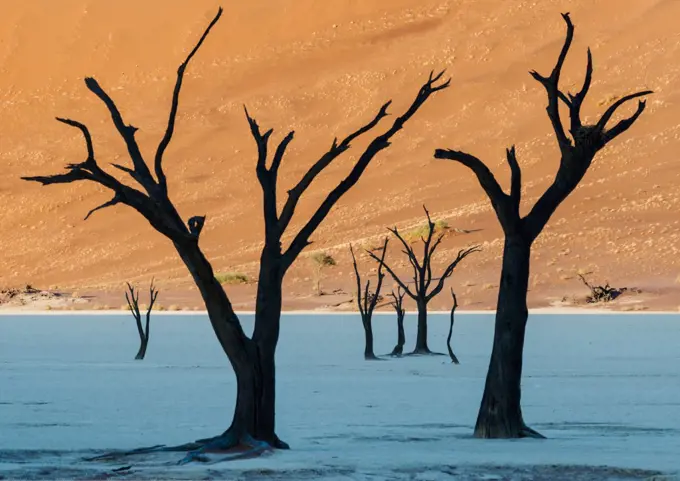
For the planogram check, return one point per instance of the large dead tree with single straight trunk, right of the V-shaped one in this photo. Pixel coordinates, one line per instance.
(500, 414)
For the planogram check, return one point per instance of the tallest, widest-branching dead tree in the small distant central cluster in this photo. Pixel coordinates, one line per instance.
(422, 277)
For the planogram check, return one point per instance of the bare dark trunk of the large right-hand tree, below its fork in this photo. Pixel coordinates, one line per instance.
(500, 414)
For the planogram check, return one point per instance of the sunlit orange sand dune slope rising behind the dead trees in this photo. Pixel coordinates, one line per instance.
(323, 69)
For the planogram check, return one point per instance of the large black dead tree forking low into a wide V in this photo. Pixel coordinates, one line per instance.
(252, 358)
